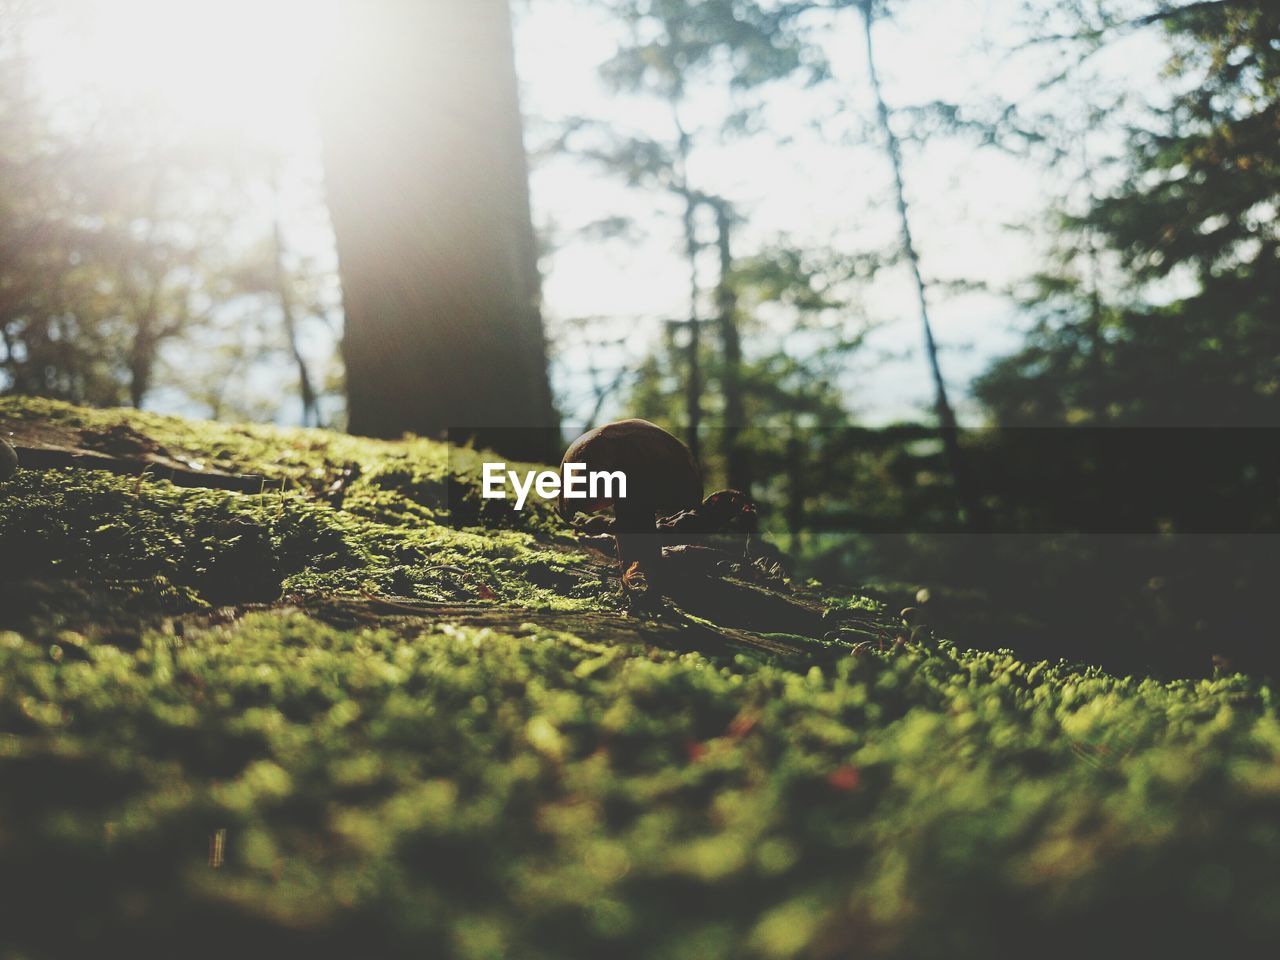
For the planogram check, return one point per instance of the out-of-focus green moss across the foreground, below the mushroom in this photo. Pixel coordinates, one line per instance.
(468, 793)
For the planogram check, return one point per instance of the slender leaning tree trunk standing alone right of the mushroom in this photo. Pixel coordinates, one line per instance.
(949, 429)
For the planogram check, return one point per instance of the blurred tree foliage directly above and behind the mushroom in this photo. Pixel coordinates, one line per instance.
(675, 52)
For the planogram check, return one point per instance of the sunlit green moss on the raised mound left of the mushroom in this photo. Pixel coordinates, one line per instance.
(412, 525)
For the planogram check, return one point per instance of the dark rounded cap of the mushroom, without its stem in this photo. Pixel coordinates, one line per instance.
(660, 469)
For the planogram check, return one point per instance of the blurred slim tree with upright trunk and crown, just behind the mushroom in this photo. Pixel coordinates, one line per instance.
(674, 51)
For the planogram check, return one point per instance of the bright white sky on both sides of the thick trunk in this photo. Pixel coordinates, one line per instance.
(817, 179)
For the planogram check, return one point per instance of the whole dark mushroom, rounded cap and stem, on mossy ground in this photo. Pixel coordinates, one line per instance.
(662, 478)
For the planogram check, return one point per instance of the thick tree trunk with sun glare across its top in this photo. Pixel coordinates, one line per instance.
(429, 196)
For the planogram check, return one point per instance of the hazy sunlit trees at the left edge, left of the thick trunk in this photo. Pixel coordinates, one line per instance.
(117, 236)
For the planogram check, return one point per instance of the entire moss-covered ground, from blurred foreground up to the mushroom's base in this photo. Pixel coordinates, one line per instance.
(363, 712)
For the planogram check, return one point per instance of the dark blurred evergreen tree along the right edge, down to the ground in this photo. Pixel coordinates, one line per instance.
(1160, 310)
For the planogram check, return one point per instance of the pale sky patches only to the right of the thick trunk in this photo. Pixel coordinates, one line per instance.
(976, 214)
